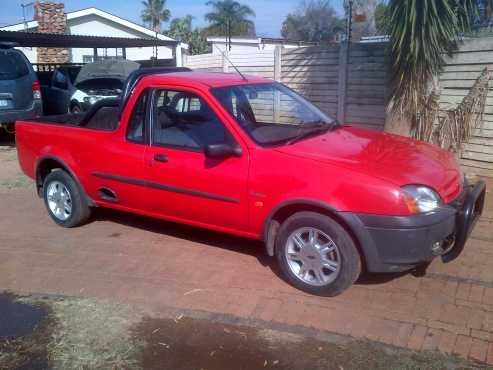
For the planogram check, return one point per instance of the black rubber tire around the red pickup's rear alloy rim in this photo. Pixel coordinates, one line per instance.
(80, 212)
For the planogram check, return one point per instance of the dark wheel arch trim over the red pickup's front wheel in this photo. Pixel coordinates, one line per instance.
(286, 209)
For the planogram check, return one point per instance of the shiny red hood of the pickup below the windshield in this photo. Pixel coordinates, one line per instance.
(395, 159)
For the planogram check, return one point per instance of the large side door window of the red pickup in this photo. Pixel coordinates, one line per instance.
(184, 120)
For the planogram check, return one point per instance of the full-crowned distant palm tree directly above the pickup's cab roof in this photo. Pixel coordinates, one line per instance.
(231, 17)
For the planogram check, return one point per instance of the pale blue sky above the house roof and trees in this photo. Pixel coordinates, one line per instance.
(270, 13)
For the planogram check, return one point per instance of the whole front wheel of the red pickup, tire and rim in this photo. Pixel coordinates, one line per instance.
(317, 255)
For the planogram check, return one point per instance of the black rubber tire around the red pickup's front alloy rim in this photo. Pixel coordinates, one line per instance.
(350, 259)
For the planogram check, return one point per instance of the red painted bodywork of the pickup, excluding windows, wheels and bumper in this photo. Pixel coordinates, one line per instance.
(349, 169)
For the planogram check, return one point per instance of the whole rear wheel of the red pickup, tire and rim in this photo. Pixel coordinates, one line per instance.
(64, 200)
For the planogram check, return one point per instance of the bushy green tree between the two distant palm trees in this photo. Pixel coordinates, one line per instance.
(181, 29)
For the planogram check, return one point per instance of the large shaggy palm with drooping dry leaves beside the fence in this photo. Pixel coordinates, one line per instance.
(422, 33)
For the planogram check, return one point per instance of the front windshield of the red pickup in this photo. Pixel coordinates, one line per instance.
(271, 113)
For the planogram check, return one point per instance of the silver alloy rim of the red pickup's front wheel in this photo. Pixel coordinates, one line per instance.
(313, 257)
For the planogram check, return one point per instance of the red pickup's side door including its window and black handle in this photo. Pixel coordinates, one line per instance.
(184, 183)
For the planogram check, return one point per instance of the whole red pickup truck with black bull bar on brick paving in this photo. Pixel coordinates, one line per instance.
(250, 157)
